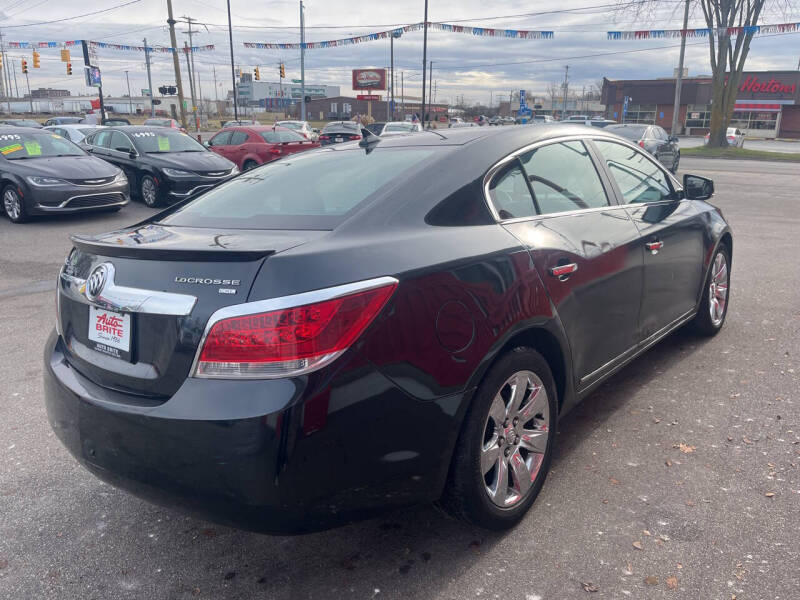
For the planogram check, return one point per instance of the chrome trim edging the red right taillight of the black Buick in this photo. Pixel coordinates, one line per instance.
(280, 303)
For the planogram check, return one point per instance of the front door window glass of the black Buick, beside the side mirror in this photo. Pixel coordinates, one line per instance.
(638, 178)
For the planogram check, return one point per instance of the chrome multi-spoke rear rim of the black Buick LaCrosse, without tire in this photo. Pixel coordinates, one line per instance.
(515, 438)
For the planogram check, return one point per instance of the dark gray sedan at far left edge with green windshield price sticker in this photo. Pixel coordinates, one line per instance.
(44, 173)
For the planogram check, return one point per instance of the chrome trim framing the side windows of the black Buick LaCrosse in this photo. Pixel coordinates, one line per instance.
(493, 170)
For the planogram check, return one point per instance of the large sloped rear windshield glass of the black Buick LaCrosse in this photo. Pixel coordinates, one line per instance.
(311, 190)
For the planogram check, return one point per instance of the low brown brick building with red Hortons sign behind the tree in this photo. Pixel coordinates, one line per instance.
(767, 103)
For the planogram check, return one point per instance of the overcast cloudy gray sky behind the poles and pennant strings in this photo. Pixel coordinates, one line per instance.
(474, 67)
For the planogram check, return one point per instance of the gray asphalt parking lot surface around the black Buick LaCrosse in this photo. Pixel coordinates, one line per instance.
(678, 478)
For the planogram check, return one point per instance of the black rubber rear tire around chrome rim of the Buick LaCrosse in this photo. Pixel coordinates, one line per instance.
(466, 494)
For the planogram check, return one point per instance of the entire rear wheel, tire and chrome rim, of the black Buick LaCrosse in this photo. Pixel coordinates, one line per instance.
(503, 453)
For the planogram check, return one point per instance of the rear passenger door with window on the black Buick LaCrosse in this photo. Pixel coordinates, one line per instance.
(584, 247)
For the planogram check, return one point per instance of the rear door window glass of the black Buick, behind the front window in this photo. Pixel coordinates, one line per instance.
(563, 178)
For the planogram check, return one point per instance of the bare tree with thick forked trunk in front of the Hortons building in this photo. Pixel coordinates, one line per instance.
(728, 52)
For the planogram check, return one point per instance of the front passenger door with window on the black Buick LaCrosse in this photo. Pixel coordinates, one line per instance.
(671, 234)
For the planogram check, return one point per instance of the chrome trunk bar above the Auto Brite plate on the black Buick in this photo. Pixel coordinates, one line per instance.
(127, 299)
